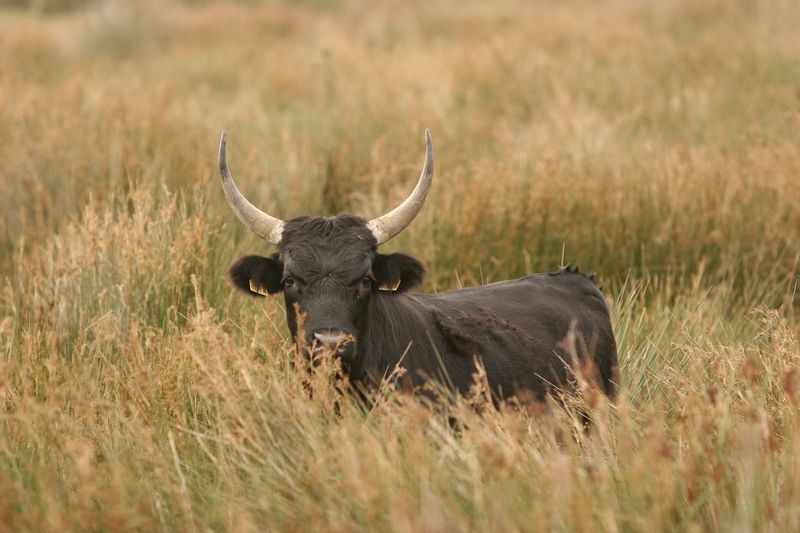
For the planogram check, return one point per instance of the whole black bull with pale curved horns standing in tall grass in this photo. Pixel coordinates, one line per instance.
(356, 303)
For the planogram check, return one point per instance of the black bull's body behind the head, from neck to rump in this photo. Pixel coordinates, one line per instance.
(517, 329)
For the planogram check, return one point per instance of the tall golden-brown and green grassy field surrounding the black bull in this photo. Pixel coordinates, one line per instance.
(657, 143)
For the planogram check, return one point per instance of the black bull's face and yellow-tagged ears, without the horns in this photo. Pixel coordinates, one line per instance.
(328, 270)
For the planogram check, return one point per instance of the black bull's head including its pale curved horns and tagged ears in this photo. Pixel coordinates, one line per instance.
(328, 268)
